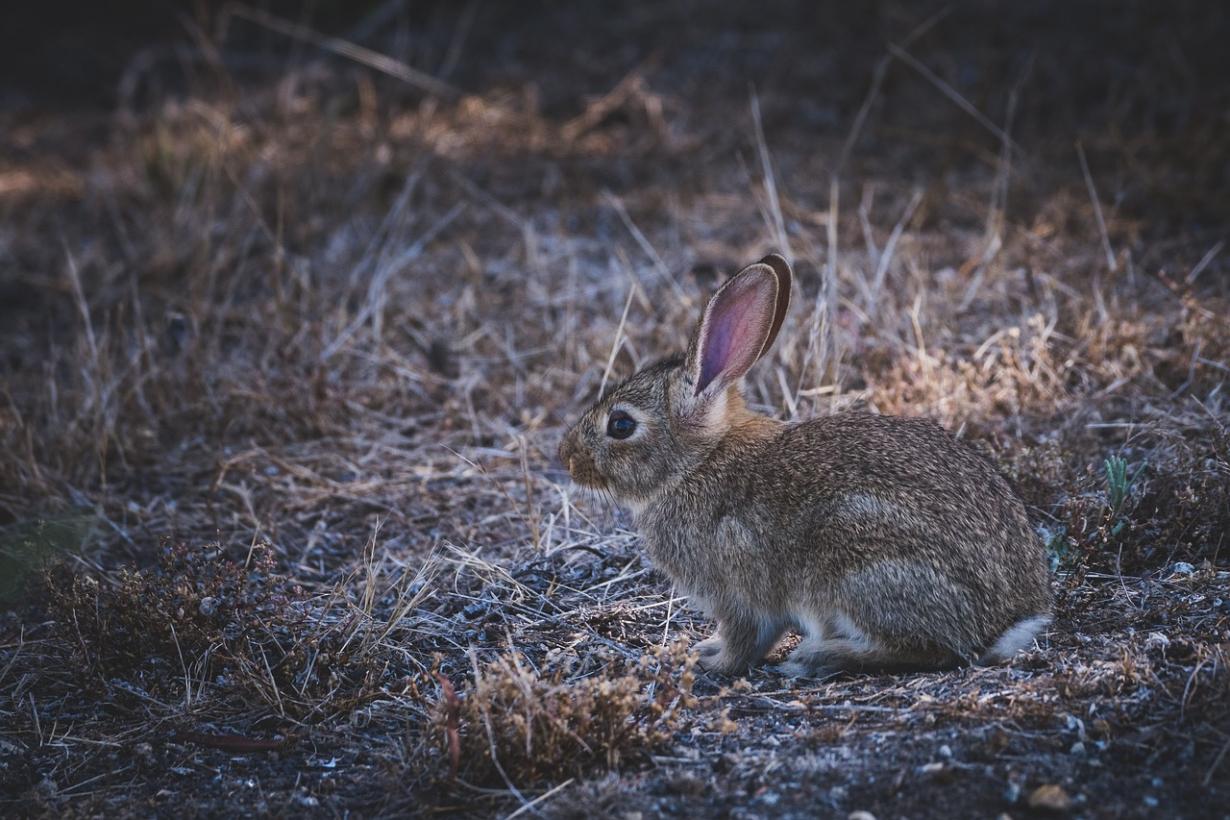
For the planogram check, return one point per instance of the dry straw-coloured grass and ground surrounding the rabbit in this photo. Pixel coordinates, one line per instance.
(287, 345)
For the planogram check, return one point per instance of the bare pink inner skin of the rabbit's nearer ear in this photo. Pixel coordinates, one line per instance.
(735, 330)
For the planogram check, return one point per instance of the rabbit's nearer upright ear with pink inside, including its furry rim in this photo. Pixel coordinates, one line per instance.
(739, 325)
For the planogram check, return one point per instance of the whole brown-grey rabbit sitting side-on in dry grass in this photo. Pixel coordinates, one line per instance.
(885, 542)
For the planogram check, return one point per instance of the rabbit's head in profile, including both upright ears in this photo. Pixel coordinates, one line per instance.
(664, 422)
